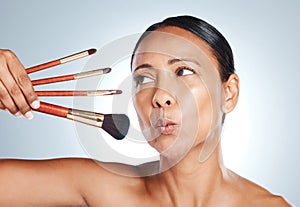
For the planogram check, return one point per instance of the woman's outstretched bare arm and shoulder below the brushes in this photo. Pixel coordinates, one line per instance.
(70, 182)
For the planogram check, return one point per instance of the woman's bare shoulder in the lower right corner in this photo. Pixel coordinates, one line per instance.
(251, 194)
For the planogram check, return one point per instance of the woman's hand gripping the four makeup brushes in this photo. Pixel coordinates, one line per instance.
(16, 91)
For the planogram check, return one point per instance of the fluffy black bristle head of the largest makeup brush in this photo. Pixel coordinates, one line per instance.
(116, 125)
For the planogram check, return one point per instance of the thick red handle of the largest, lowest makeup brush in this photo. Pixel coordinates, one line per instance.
(53, 109)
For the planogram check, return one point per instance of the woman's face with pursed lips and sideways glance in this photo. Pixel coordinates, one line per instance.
(177, 90)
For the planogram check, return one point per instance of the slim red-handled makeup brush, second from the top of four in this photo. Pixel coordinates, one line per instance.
(75, 76)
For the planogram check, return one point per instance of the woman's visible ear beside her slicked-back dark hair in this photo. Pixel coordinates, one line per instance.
(231, 93)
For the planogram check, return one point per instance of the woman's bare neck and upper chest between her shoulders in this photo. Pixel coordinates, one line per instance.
(193, 179)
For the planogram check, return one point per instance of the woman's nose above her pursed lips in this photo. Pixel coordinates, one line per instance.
(162, 99)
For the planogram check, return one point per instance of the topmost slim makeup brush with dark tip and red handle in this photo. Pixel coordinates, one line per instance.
(61, 61)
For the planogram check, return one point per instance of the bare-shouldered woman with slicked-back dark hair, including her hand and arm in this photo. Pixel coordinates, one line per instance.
(184, 85)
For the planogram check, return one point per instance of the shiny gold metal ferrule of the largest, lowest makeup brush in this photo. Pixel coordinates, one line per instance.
(86, 117)
